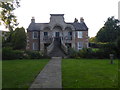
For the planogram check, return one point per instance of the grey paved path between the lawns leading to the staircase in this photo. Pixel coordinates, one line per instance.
(50, 76)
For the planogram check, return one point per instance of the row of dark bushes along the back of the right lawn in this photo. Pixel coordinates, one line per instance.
(90, 53)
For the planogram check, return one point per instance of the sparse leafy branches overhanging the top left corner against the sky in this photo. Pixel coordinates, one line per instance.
(6, 14)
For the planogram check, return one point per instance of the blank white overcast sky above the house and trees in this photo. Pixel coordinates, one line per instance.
(94, 12)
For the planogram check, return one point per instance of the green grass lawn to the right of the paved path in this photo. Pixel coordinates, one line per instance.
(78, 73)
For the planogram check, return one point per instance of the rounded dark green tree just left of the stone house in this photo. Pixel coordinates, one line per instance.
(19, 38)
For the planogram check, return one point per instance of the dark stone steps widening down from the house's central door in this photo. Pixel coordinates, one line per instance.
(57, 50)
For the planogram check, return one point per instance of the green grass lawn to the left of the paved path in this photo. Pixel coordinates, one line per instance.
(20, 73)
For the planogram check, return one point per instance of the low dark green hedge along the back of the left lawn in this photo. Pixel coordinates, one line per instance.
(9, 54)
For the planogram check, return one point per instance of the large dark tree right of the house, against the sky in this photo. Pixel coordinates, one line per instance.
(110, 31)
